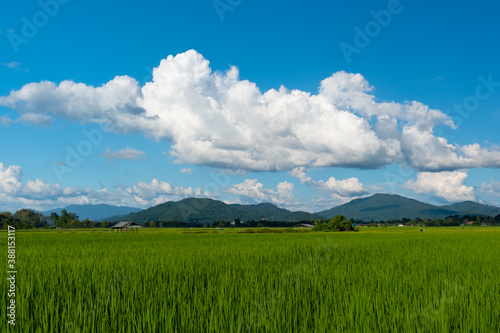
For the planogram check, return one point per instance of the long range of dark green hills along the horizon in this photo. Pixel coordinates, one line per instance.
(378, 207)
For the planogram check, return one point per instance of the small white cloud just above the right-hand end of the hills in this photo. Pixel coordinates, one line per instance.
(447, 185)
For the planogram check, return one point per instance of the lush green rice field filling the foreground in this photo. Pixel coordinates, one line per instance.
(202, 280)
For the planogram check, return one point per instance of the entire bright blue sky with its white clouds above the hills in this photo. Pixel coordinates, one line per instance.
(305, 105)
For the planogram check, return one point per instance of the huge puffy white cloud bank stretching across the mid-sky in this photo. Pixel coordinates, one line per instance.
(215, 119)
